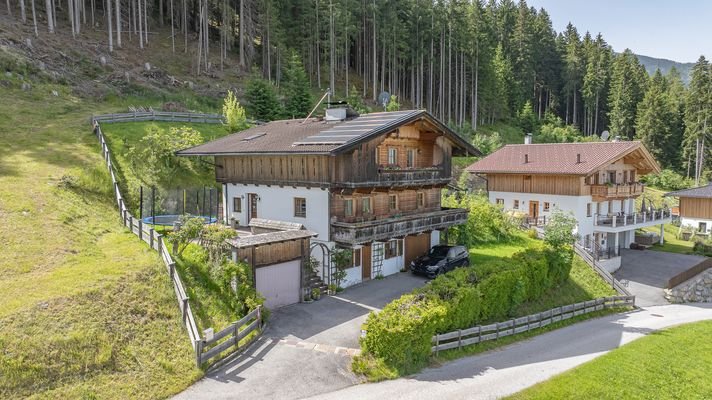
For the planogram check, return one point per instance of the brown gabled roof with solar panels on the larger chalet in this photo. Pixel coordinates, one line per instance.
(315, 136)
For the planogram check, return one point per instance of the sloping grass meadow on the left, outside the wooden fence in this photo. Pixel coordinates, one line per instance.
(86, 310)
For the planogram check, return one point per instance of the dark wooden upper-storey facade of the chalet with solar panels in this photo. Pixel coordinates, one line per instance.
(421, 157)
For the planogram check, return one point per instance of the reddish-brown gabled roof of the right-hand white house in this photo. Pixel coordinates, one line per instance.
(562, 158)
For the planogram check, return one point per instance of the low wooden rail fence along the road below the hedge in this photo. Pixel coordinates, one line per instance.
(465, 337)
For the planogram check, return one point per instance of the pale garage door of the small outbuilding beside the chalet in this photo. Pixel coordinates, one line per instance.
(279, 283)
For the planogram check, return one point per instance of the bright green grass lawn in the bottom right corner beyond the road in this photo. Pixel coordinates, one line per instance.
(671, 364)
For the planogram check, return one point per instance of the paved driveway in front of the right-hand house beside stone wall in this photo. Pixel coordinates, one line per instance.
(648, 272)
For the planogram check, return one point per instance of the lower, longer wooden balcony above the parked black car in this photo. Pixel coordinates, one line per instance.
(389, 228)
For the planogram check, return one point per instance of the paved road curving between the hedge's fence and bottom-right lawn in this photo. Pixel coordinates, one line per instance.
(508, 370)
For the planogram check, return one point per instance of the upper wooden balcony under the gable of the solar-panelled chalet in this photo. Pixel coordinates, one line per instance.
(395, 177)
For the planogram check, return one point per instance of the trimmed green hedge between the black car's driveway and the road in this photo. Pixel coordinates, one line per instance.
(400, 335)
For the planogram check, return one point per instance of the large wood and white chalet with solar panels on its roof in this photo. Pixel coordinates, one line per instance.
(370, 183)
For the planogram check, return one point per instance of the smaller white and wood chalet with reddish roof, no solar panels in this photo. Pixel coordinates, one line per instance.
(597, 182)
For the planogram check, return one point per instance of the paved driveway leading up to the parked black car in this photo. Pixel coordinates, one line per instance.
(306, 349)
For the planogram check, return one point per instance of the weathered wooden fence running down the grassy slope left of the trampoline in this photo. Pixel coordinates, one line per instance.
(157, 242)
